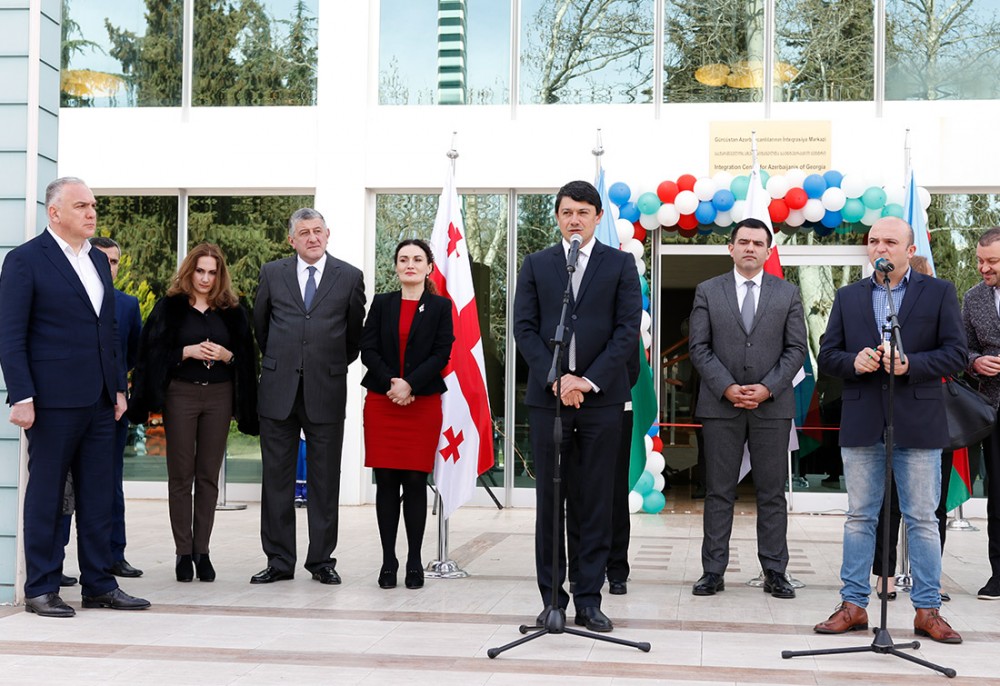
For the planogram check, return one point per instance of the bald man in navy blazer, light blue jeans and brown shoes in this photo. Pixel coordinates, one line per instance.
(856, 349)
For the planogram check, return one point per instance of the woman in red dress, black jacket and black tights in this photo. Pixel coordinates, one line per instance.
(405, 345)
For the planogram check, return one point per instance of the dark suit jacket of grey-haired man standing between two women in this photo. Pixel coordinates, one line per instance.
(321, 342)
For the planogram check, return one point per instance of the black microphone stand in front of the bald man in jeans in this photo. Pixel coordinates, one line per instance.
(883, 644)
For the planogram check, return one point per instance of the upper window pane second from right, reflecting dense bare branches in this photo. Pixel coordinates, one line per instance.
(824, 50)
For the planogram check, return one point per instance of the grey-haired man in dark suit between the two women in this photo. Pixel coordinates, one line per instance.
(308, 318)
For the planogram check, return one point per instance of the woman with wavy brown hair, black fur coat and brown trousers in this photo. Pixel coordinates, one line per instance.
(197, 365)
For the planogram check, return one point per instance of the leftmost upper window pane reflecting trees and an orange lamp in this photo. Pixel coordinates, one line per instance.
(118, 54)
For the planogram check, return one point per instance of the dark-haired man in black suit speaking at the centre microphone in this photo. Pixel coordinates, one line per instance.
(602, 330)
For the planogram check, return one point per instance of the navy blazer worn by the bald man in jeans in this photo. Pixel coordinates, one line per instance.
(934, 343)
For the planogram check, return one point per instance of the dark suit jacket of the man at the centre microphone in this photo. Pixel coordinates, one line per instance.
(605, 314)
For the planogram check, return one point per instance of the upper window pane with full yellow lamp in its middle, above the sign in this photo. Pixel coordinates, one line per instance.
(713, 51)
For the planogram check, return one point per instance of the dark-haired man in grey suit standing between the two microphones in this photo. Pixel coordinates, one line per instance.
(747, 341)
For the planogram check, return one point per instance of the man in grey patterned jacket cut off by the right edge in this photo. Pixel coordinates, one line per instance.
(982, 328)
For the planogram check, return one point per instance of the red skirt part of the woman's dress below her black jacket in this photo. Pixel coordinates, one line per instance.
(398, 437)
